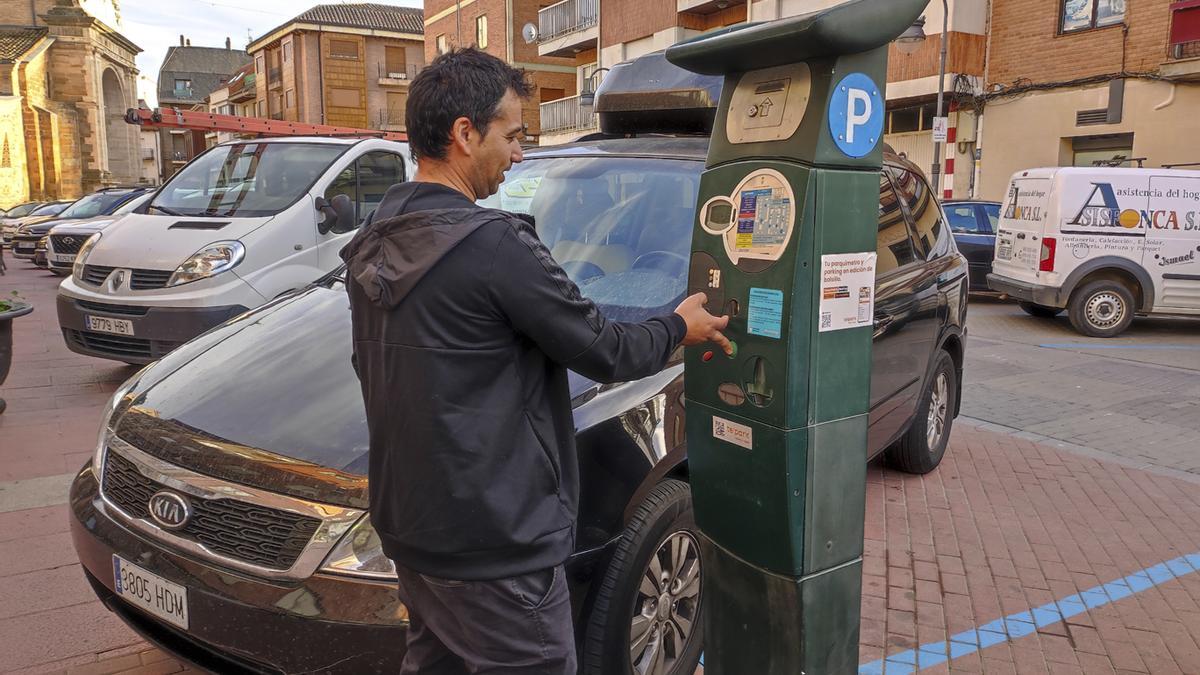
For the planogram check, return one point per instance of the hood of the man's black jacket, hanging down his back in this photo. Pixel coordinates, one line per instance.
(392, 255)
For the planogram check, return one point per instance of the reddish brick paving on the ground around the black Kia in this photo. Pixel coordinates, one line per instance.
(1004, 527)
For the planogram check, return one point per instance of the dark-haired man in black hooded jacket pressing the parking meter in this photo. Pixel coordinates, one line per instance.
(464, 331)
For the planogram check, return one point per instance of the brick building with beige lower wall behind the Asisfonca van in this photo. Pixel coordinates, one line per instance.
(1083, 81)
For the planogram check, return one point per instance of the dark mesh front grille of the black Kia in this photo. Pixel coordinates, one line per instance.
(230, 528)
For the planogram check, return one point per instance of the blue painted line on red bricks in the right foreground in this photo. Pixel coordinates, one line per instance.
(1027, 623)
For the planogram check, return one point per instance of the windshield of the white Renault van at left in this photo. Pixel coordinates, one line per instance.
(249, 180)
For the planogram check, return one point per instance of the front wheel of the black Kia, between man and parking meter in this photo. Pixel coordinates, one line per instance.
(662, 533)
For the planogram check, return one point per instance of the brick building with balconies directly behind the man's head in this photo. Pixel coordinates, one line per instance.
(497, 27)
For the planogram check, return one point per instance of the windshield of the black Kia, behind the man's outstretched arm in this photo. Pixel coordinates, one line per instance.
(621, 228)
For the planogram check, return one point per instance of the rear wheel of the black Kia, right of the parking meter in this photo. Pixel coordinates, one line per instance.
(922, 447)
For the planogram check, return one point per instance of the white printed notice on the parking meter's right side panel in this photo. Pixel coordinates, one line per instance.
(848, 291)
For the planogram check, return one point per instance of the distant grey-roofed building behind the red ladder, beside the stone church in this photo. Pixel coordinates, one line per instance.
(187, 79)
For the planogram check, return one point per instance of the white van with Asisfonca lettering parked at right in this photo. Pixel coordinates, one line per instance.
(1102, 243)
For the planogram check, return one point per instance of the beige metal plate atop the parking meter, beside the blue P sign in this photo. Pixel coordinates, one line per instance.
(769, 105)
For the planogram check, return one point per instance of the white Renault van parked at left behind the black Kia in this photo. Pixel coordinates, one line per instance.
(241, 225)
